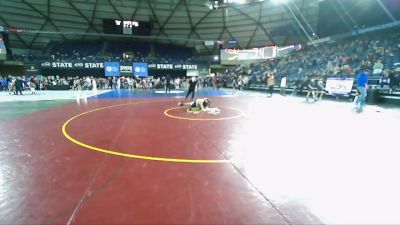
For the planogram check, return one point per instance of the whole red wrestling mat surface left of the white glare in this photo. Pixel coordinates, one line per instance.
(56, 181)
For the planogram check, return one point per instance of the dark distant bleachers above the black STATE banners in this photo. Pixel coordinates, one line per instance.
(112, 50)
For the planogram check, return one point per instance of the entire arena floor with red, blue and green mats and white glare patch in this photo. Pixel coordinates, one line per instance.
(125, 157)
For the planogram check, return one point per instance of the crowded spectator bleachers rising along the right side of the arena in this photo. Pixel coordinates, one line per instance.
(339, 59)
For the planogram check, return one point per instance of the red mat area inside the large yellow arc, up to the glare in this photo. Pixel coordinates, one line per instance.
(160, 132)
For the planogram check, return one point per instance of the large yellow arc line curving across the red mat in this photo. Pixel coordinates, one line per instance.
(114, 152)
